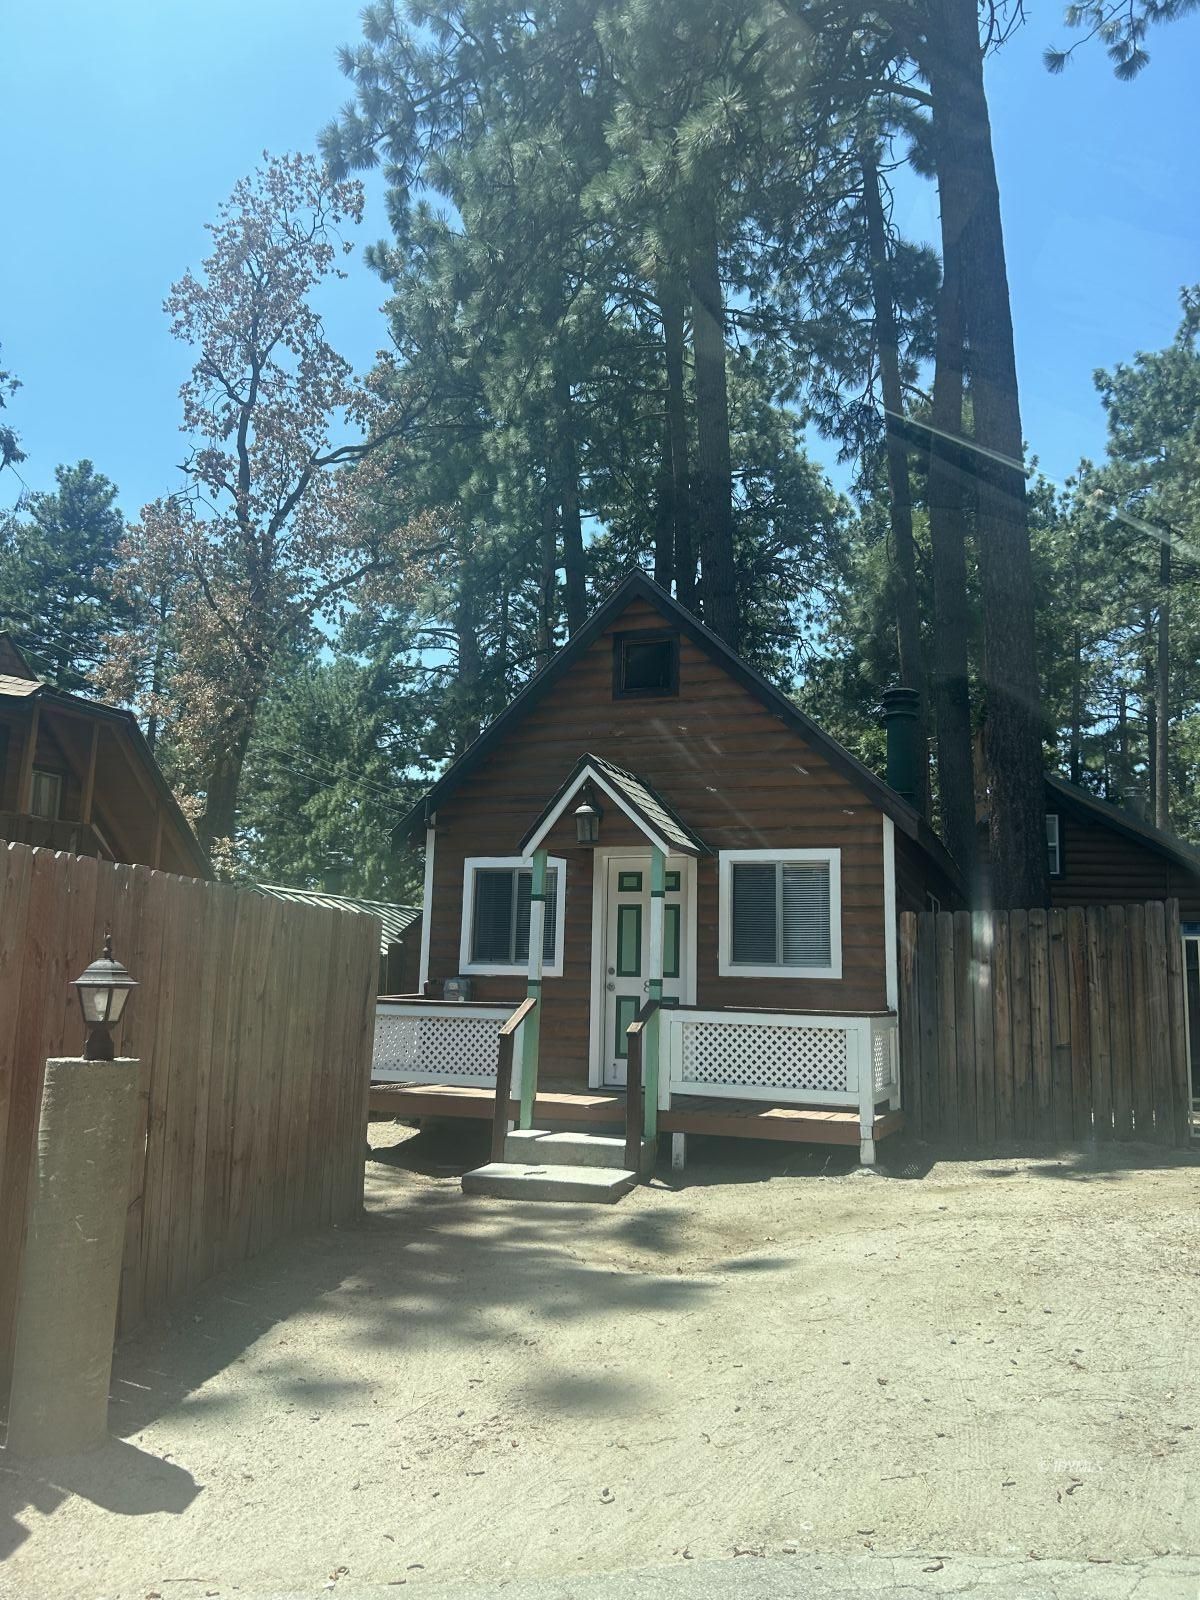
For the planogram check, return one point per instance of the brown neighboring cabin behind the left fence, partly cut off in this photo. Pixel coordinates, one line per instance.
(78, 775)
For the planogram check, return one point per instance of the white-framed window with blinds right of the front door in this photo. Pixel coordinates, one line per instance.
(780, 914)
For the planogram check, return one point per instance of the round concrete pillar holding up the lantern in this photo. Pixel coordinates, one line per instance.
(71, 1268)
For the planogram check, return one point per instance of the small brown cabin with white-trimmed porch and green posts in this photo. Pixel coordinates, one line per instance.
(654, 828)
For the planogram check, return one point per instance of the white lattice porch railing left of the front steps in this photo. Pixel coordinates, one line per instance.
(422, 1042)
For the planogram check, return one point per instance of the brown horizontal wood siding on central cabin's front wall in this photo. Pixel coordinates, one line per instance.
(730, 769)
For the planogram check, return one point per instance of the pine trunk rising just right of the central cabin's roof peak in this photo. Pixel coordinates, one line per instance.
(714, 474)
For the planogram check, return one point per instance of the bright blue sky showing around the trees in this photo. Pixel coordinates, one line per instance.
(127, 124)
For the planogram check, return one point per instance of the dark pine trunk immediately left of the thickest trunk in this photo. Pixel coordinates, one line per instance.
(948, 545)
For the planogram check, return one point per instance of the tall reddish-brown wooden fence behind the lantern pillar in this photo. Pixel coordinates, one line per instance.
(254, 1022)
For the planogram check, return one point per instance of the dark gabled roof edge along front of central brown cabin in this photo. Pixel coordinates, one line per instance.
(636, 586)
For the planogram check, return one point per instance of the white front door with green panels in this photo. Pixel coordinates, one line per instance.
(626, 951)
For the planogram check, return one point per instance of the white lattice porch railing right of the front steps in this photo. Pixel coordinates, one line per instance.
(780, 1057)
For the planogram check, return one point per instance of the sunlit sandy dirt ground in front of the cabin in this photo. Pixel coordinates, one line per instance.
(770, 1353)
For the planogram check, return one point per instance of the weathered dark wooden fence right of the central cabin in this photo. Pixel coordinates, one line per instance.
(1046, 1025)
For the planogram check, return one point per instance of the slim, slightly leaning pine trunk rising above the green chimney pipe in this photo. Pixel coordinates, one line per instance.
(905, 591)
